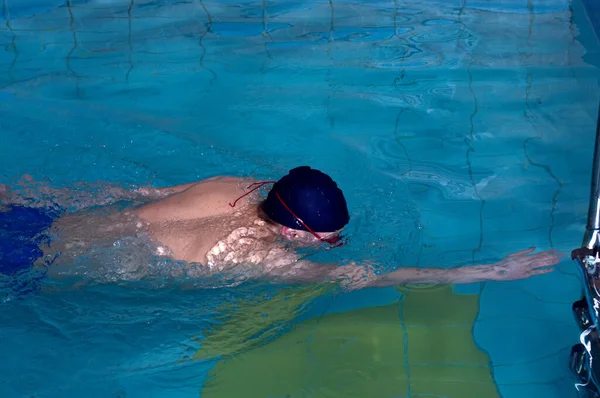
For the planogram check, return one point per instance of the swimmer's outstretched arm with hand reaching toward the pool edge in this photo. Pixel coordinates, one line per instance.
(516, 266)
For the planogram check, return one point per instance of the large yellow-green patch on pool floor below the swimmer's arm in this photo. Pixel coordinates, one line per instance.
(422, 344)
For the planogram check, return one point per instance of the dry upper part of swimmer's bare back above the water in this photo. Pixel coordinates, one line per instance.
(194, 217)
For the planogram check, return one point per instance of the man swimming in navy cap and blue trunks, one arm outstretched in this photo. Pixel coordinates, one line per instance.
(224, 223)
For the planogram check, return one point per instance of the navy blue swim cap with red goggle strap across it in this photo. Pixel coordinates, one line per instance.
(312, 196)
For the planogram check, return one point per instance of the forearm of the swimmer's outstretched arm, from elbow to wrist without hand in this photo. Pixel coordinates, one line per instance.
(468, 274)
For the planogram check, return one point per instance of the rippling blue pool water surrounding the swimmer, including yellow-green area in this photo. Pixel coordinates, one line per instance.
(460, 132)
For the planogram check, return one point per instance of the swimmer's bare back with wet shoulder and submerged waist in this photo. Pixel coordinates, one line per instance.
(193, 223)
